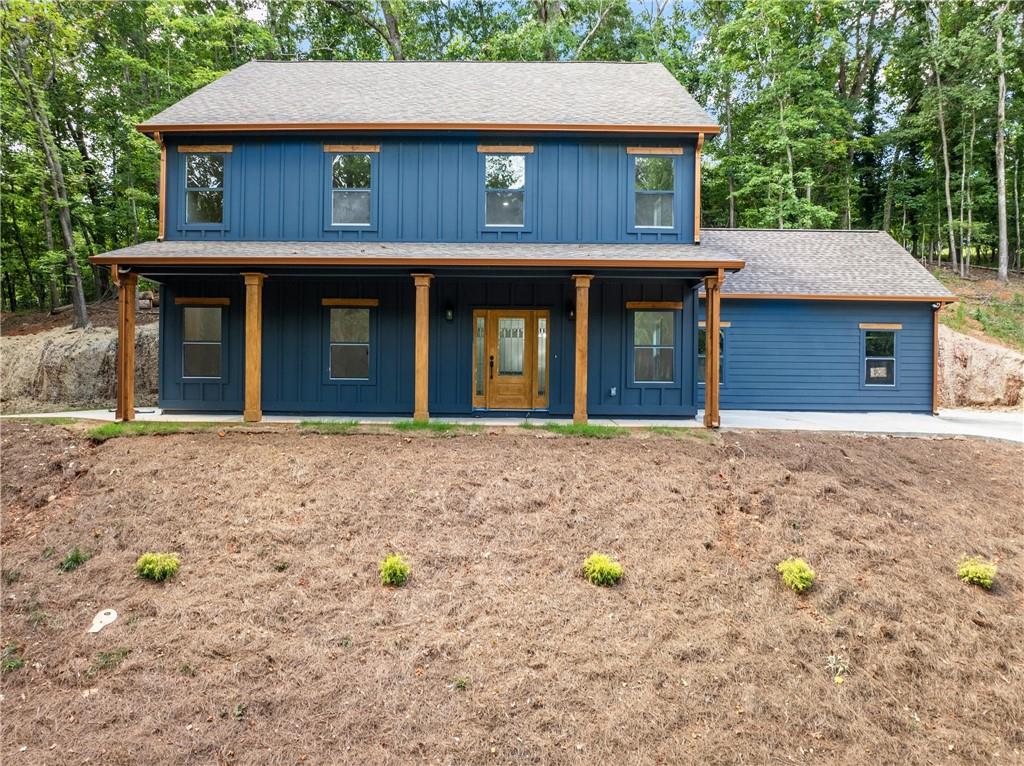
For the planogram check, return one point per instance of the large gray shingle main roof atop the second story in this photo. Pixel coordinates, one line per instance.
(541, 94)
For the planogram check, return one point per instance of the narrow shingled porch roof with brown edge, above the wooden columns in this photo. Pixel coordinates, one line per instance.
(532, 256)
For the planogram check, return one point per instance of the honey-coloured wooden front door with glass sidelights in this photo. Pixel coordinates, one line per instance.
(510, 359)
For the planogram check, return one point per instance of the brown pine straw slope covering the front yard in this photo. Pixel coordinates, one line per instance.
(275, 644)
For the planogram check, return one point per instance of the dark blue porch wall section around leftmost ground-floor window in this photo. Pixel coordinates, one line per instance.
(226, 395)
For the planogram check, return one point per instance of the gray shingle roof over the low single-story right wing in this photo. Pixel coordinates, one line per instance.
(821, 263)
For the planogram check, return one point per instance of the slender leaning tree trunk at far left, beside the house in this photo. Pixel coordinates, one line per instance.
(21, 70)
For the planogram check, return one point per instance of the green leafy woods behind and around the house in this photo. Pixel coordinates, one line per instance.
(830, 109)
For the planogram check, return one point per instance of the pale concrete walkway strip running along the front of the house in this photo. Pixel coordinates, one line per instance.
(1005, 425)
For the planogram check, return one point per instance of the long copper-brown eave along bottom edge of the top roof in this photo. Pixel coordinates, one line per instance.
(151, 129)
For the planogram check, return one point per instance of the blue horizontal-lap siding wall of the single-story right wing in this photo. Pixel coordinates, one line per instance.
(807, 356)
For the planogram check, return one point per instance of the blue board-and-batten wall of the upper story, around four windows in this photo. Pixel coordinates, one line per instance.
(430, 190)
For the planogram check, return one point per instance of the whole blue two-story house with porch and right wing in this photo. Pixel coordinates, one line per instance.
(452, 239)
